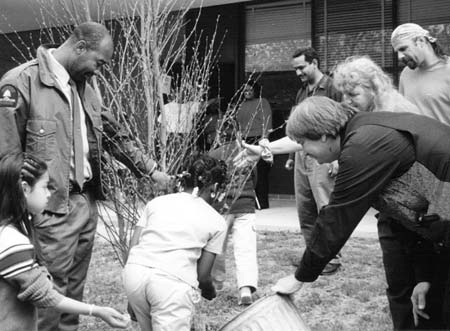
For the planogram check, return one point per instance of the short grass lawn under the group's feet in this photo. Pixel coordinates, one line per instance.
(352, 299)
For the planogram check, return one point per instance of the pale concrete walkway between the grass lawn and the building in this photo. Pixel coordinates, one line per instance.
(282, 216)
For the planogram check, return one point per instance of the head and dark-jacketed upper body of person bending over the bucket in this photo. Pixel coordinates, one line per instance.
(376, 152)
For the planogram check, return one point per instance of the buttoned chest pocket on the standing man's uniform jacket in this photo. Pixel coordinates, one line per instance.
(41, 138)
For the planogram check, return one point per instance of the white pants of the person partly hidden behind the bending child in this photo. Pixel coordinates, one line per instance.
(242, 228)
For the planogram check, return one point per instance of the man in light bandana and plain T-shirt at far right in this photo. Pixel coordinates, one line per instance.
(425, 81)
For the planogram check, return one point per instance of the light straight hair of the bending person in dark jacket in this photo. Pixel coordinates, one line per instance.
(317, 116)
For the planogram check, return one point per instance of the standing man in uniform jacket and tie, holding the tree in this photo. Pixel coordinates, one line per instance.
(49, 108)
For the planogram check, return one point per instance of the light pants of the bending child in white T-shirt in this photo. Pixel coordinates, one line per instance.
(161, 302)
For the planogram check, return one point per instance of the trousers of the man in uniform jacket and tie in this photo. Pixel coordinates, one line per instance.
(64, 245)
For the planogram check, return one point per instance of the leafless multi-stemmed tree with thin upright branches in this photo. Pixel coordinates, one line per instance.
(160, 57)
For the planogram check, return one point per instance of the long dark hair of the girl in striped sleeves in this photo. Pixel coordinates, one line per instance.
(15, 168)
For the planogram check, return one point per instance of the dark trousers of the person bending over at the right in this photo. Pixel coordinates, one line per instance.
(401, 250)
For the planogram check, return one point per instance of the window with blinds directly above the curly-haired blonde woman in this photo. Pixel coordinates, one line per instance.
(351, 27)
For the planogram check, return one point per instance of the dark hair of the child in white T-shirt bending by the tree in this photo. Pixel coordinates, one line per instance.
(202, 170)
